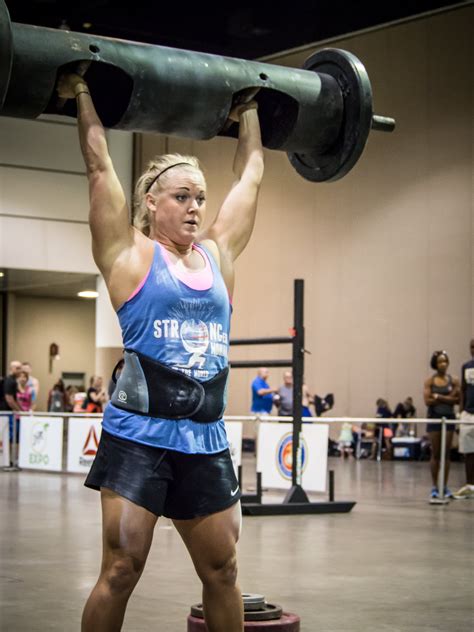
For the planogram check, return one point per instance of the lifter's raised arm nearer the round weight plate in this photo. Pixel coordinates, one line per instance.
(235, 220)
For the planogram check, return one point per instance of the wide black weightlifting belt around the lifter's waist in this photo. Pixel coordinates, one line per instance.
(147, 387)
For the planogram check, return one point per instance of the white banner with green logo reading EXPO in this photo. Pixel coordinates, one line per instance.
(41, 443)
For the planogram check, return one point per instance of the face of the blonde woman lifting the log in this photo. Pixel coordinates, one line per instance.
(178, 207)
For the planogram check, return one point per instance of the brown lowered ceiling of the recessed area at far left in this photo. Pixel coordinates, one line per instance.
(46, 283)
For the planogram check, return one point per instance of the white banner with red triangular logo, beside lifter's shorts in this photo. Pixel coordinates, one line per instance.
(82, 443)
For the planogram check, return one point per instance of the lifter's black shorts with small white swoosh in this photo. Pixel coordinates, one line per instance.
(166, 482)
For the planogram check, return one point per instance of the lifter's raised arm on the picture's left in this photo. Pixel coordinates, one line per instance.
(109, 214)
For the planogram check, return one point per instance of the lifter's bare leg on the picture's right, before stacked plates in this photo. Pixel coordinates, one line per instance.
(211, 543)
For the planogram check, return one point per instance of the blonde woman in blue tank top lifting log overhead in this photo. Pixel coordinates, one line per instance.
(163, 450)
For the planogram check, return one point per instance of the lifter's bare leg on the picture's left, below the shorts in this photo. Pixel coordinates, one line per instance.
(127, 533)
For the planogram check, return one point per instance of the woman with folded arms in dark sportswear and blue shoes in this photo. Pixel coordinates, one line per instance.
(441, 393)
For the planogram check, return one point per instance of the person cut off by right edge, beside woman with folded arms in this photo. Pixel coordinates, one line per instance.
(466, 432)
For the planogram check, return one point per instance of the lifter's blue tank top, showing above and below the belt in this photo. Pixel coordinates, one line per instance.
(187, 330)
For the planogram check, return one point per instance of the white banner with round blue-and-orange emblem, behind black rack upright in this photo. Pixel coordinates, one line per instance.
(275, 455)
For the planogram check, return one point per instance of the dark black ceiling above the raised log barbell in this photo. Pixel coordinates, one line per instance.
(248, 30)
